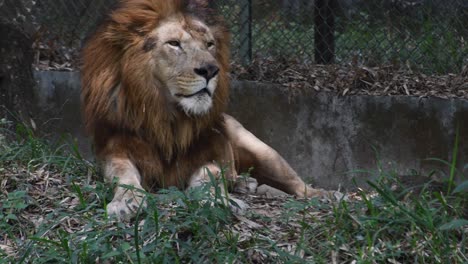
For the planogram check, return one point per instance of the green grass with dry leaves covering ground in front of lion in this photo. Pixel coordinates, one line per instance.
(52, 210)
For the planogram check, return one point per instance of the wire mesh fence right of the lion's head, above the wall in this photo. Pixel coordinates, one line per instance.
(428, 35)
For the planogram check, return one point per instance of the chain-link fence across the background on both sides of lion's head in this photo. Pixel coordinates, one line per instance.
(428, 35)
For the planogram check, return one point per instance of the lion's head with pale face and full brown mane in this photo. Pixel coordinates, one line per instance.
(153, 62)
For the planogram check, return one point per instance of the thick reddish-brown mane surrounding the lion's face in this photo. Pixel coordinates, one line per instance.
(120, 94)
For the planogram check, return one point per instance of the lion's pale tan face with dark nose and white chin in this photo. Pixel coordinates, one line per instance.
(183, 61)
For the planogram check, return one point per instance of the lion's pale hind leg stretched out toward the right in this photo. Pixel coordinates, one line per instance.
(268, 166)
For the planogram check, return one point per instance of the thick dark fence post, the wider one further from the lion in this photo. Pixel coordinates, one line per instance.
(324, 31)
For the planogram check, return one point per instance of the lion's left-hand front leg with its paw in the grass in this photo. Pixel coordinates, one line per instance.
(126, 200)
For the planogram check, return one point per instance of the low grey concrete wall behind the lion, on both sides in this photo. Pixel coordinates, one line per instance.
(325, 137)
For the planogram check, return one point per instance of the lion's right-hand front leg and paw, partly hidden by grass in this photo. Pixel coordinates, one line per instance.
(202, 176)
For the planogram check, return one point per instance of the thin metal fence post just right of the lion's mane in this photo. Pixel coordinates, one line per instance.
(245, 51)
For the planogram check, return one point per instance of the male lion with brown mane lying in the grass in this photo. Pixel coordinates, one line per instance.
(154, 88)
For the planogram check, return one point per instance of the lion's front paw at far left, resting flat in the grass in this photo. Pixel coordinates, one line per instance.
(125, 205)
